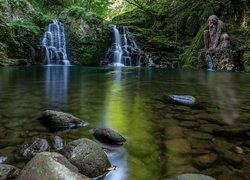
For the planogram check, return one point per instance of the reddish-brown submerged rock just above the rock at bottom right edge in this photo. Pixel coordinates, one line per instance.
(205, 161)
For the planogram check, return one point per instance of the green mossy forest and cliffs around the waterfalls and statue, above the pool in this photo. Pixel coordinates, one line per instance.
(168, 30)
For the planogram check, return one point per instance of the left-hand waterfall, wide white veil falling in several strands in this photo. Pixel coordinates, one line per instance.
(55, 44)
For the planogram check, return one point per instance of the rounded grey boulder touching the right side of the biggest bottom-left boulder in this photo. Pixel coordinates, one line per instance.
(87, 156)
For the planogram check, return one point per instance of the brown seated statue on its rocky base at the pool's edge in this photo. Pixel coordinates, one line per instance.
(219, 48)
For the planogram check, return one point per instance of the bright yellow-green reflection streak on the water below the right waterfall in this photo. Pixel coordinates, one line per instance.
(128, 113)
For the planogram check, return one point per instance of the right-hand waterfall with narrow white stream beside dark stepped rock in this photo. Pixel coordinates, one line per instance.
(124, 50)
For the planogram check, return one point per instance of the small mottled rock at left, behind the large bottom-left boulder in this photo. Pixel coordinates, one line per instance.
(36, 146)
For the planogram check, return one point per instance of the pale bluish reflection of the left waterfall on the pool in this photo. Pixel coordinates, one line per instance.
(56, 86)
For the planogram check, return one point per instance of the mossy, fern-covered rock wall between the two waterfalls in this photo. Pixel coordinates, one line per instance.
(88, 38)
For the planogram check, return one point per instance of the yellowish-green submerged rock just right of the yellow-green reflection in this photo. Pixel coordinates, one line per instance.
(178, 146)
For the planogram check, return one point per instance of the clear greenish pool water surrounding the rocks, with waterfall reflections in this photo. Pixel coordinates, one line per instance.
(130, 101)
